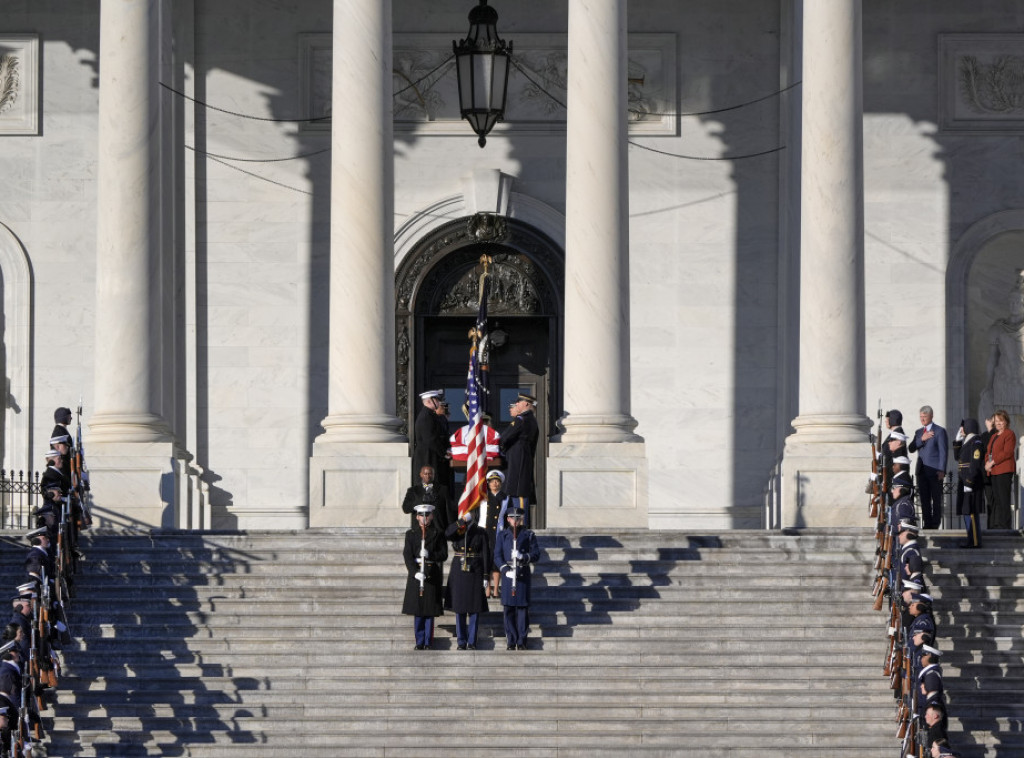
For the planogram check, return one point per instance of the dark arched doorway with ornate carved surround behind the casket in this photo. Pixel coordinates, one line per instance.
(436, 292)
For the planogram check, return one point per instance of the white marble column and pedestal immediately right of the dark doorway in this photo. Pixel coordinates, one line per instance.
(599, 444)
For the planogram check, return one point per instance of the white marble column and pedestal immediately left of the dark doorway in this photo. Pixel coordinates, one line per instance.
(362, 451)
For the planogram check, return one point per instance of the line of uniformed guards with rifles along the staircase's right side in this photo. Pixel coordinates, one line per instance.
(912, 660)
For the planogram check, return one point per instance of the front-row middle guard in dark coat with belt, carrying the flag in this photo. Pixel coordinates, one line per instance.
(467, 578)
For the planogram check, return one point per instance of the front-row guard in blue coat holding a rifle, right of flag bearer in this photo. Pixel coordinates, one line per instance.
(516, 550)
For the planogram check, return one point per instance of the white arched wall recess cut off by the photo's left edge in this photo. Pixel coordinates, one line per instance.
(17, 291)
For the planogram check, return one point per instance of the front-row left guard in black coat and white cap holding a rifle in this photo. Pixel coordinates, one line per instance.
(425, 554)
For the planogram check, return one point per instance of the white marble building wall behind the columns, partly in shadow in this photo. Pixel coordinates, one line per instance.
(713, 263)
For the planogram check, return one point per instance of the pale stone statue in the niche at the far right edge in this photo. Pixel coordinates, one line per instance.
(1005, 370)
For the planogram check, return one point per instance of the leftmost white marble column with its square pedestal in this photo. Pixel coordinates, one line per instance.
(132, 448)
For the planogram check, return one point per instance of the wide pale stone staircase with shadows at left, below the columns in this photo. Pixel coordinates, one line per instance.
(738, 644)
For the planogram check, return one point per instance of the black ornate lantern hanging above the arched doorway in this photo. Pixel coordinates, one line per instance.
(483, 66)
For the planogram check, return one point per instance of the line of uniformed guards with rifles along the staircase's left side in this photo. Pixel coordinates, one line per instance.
(30, 664)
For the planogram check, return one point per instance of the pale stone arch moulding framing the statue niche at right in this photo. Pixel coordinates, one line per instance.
(962, 259)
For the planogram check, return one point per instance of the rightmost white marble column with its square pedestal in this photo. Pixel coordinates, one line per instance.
(827, 460)
